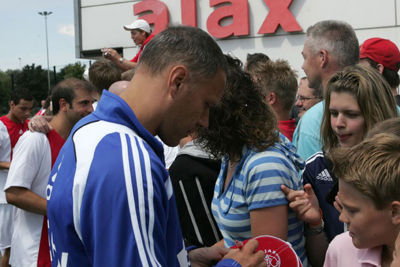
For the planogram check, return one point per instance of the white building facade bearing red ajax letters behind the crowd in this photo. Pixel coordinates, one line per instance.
(239, 26)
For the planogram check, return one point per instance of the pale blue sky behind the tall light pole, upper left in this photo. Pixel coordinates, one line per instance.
(23, 39)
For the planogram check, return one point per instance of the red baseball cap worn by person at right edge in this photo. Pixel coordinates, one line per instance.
(382, 51)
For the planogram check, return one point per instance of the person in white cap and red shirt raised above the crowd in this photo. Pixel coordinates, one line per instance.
(141, 35)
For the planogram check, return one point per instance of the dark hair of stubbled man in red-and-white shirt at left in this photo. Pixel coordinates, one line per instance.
(66, 90)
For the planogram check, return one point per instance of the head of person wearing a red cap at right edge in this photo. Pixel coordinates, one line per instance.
(383, 55)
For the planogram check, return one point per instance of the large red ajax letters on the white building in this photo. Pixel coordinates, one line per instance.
(156, 12)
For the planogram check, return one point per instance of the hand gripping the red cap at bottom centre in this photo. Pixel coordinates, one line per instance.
(246, 256)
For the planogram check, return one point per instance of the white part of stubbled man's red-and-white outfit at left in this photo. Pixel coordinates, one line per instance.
(30, 168)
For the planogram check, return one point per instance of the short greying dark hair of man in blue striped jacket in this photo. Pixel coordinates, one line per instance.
(185, 45)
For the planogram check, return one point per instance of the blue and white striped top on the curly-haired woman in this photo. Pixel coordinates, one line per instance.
(255, 185)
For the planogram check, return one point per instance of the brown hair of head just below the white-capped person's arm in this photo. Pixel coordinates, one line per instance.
(103, 73)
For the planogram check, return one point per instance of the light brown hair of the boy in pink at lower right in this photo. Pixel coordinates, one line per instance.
(372, 167)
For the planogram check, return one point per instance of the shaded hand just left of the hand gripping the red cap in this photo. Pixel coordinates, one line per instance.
(206, 256)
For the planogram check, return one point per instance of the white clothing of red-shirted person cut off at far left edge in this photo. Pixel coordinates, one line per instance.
(5, 150)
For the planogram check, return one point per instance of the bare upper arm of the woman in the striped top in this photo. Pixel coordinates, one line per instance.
(270, 221)
